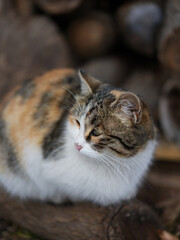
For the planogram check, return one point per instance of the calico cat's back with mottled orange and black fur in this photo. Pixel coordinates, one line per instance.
(32, 113)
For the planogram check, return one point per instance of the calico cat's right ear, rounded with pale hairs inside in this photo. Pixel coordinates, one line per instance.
(128, 105)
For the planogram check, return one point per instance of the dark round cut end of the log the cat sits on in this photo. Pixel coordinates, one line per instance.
(134, 220)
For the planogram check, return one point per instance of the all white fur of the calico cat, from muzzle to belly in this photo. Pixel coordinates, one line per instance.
(78, 175)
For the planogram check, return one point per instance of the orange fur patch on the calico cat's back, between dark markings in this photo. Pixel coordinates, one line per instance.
(19, 115)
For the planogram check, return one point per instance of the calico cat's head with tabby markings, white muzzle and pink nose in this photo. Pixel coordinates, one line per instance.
(106, 120)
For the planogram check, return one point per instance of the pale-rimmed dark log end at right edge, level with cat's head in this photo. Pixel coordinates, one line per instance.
(169, 109)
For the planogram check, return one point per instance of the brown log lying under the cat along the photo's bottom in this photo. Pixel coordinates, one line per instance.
(82, 221)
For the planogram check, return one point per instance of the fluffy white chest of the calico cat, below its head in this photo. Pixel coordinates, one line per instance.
(78, 177)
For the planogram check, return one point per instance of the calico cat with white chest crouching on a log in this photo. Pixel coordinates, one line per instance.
(69, 136)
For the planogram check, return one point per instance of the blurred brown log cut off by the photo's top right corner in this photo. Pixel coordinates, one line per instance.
(169, 47)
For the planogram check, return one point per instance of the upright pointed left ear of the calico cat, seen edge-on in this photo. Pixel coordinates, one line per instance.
(88, 83)
